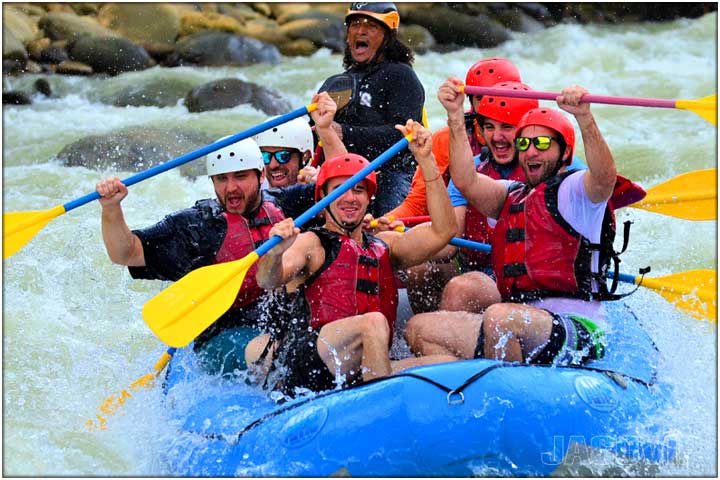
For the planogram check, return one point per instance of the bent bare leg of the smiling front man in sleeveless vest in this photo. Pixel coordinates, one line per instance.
(359, 342)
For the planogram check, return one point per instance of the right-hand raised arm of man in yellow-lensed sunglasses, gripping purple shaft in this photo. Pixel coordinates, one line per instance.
(601, 174)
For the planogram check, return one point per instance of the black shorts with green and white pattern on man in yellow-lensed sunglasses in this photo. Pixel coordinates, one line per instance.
(560, 349)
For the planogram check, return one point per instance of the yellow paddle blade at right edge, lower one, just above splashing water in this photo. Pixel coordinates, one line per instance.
(694, 291)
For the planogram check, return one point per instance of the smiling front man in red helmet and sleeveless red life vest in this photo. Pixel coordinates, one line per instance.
(342, 279)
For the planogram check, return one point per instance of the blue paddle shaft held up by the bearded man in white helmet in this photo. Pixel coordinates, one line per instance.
(200, 152)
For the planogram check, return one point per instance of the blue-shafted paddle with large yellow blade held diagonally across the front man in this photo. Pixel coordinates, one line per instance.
(181, 312)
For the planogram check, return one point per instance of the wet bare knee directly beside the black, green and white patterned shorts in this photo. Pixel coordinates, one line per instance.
(513, 330)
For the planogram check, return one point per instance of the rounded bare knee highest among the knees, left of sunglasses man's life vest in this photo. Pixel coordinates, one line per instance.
(470, 292)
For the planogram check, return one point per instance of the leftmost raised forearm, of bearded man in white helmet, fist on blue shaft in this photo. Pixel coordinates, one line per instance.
(123, 247)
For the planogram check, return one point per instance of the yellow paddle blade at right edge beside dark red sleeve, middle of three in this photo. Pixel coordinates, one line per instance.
(692, 196)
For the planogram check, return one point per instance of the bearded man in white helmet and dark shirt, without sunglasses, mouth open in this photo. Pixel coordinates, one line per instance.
(218, 230)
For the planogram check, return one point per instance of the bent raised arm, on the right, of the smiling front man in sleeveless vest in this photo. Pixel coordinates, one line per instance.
(422, 242)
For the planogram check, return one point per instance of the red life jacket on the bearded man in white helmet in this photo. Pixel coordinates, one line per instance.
(242, 237)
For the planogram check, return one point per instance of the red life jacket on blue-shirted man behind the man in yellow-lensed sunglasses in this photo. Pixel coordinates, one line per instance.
(477, 227)
